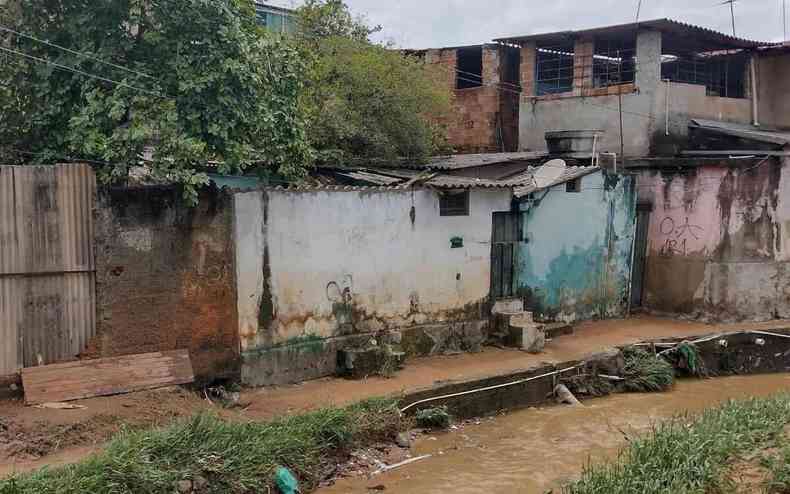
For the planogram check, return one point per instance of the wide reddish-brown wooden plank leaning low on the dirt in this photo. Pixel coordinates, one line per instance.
(105, 377)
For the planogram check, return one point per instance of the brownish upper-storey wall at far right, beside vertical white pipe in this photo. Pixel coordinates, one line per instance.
(773, 95)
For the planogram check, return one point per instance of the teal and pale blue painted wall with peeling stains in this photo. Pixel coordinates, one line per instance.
(575, 261)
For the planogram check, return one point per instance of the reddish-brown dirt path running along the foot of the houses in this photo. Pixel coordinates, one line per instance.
(32, 437)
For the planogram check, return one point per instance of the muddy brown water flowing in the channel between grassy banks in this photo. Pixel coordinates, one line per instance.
(534, 451)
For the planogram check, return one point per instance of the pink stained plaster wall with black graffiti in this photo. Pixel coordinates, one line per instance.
(719, 242)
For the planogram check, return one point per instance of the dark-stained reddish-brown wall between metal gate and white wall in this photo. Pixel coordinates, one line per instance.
(164, 277)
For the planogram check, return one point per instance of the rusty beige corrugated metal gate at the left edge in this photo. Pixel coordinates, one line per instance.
(47, 269)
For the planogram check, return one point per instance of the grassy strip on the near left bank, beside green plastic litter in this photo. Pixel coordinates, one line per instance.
(233, 457)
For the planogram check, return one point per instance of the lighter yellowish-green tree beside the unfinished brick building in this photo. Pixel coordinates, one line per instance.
(365, 100)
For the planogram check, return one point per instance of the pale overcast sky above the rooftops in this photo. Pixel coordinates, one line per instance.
(437, 23)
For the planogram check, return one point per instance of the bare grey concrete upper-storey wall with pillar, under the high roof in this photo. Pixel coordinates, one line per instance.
(644, 109)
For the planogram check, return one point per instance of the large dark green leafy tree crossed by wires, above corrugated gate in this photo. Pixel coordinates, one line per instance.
(198, 86)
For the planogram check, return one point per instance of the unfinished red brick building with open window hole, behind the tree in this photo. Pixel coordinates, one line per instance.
(485, 81)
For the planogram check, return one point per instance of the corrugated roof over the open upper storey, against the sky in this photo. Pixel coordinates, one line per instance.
(703, 34)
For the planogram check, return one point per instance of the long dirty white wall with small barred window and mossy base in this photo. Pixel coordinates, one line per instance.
(317, 269)
